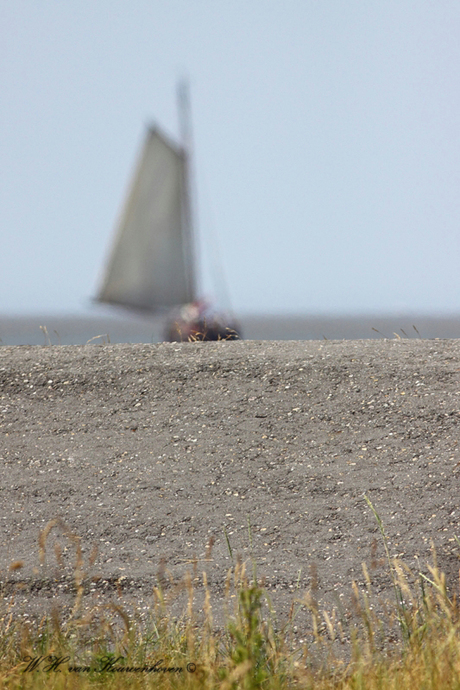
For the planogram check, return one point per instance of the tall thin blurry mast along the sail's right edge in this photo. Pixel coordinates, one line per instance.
(190, 234)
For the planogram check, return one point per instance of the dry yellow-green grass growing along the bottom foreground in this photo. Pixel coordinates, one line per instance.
(416, 644)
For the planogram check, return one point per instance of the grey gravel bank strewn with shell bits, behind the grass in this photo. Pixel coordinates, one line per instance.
(148, 452)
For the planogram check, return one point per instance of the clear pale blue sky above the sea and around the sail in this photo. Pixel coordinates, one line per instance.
(325, 137)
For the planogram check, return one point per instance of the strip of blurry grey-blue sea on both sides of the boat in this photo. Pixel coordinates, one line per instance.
(58, 329)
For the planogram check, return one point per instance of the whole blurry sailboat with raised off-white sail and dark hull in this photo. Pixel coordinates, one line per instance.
(152, 263)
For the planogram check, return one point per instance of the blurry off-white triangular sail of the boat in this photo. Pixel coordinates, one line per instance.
(151, 263)
